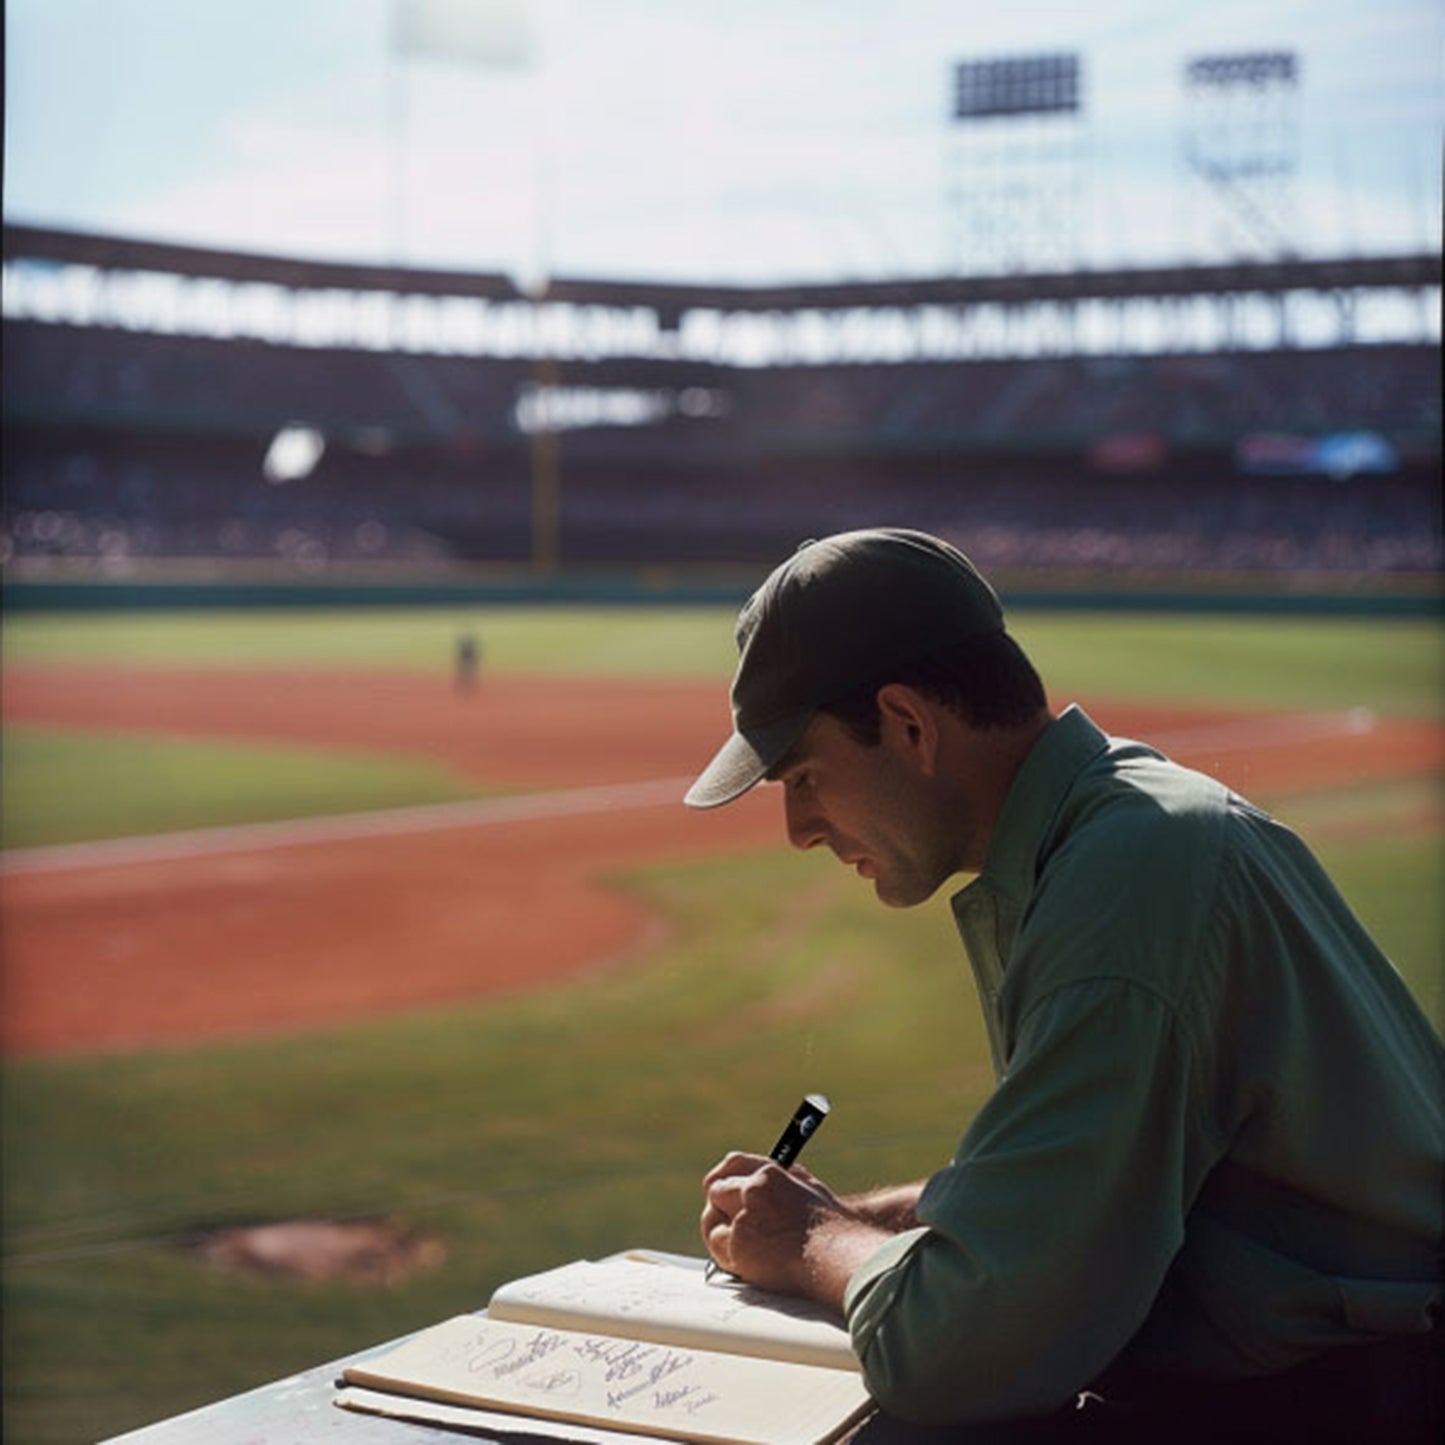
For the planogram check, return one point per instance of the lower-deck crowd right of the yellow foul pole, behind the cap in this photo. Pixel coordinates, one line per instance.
(1037, 517)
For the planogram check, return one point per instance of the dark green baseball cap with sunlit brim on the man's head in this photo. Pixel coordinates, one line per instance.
(837, 616)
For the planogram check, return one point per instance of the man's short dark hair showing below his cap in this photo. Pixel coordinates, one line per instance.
(988, 681)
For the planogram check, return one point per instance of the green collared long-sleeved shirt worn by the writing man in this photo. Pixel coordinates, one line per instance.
(1217, 1145)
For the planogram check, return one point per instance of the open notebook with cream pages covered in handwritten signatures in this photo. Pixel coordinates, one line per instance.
(638, 1345)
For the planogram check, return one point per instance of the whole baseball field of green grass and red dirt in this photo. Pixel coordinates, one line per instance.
(298, 928)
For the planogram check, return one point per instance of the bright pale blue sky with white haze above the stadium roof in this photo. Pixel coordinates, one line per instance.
(683, 139)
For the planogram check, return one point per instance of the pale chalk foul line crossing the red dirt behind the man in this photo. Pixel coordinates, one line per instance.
(1213, 739)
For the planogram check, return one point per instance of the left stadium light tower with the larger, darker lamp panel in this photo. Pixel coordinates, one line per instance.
(1017, 164)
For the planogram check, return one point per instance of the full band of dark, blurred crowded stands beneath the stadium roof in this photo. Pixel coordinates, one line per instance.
(125, 449)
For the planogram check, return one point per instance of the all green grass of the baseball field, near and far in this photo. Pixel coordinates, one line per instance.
(537, 1129)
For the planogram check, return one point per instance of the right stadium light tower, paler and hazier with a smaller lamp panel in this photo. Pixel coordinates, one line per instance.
(1241, 152)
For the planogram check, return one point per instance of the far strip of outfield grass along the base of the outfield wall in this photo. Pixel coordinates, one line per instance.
(1395, 667)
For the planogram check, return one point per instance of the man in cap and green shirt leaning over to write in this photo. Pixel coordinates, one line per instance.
(1207, 1190)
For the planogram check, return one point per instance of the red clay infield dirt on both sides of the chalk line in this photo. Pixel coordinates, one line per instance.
(291, 936)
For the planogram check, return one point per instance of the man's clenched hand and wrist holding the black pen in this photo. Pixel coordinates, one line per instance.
(784, 1229)
